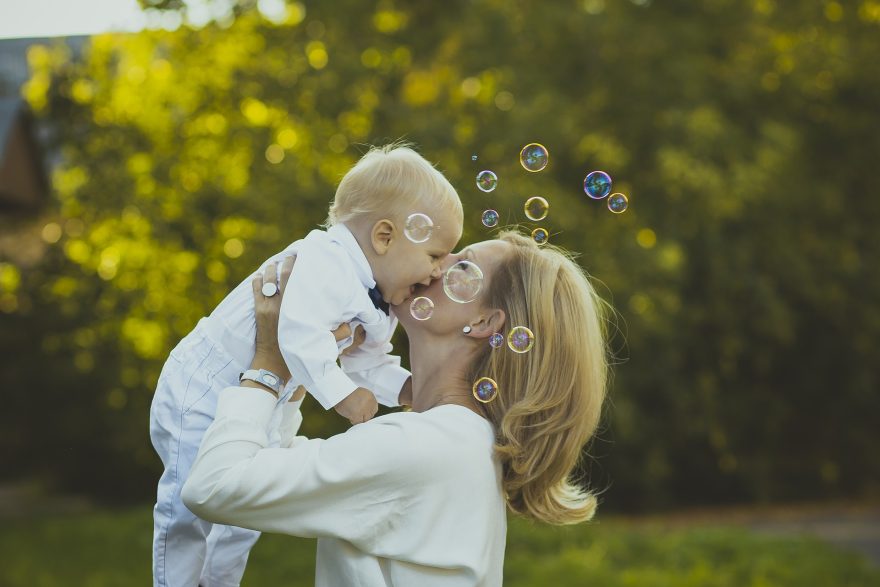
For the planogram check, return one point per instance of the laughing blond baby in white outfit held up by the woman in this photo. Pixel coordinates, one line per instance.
(393, 220)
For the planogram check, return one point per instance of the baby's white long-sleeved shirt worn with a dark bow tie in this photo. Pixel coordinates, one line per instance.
(328, 287)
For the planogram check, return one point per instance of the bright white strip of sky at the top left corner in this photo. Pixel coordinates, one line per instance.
(57, 18)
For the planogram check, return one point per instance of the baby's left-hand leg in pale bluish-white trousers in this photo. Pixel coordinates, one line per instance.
(182, 409)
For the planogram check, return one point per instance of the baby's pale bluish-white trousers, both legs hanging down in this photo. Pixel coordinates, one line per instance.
(189, 551)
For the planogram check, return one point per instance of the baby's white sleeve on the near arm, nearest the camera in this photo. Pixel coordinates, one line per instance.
(315, 302)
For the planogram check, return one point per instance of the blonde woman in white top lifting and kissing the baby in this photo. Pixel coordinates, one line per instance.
(419, 497)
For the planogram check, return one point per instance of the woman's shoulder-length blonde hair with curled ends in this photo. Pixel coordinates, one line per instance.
(550, 399)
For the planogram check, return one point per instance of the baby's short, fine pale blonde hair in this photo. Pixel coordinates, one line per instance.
(391, 180)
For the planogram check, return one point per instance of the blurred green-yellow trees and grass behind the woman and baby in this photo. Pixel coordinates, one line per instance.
(746, 342)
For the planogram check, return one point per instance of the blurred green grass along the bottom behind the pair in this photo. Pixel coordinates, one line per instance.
(112, 548)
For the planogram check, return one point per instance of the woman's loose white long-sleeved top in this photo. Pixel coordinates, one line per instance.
(404, 499)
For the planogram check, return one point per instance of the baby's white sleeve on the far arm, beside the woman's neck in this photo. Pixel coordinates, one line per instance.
(371, 366)
